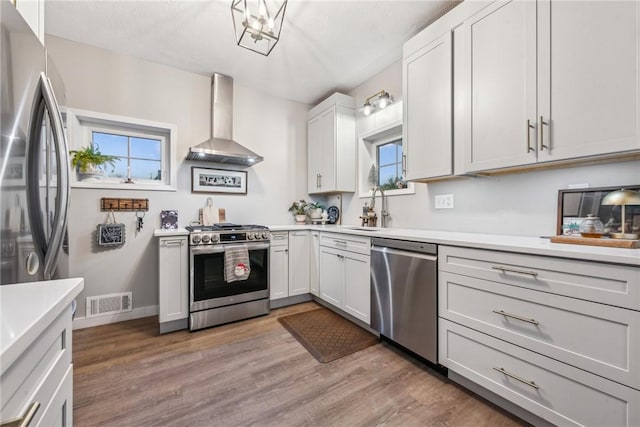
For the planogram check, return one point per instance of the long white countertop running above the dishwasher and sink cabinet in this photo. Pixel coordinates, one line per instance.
(498, 242)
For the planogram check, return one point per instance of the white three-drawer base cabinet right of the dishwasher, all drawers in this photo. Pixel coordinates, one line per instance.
(559, 337)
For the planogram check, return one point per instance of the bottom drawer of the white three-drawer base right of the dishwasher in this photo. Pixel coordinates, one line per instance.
(557, 392)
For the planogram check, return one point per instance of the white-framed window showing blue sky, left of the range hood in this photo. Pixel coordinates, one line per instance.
(144, 151)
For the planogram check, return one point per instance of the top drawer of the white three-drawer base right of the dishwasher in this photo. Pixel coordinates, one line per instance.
(612, 284)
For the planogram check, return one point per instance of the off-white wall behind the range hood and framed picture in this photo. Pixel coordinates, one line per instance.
(102, 81)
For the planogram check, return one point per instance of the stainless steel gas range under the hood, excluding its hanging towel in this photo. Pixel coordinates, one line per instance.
(212, 300)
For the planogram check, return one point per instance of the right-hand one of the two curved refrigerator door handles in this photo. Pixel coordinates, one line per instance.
(62, 166)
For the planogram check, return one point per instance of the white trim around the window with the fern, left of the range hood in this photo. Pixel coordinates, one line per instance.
(80, 123)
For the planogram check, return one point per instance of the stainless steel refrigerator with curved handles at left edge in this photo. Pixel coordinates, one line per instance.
(34, 163)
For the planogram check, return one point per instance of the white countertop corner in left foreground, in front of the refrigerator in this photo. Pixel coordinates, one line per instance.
(26, 309)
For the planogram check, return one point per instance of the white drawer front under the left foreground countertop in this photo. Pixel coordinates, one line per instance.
(36, 375)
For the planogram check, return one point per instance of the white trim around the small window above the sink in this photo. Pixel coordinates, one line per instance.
(367, 143)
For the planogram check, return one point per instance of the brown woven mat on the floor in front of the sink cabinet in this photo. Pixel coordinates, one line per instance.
(326, 335)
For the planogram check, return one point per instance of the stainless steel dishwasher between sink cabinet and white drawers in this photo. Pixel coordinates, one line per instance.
(404, 296)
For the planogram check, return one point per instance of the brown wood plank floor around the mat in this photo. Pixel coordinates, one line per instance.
(255, 373)
